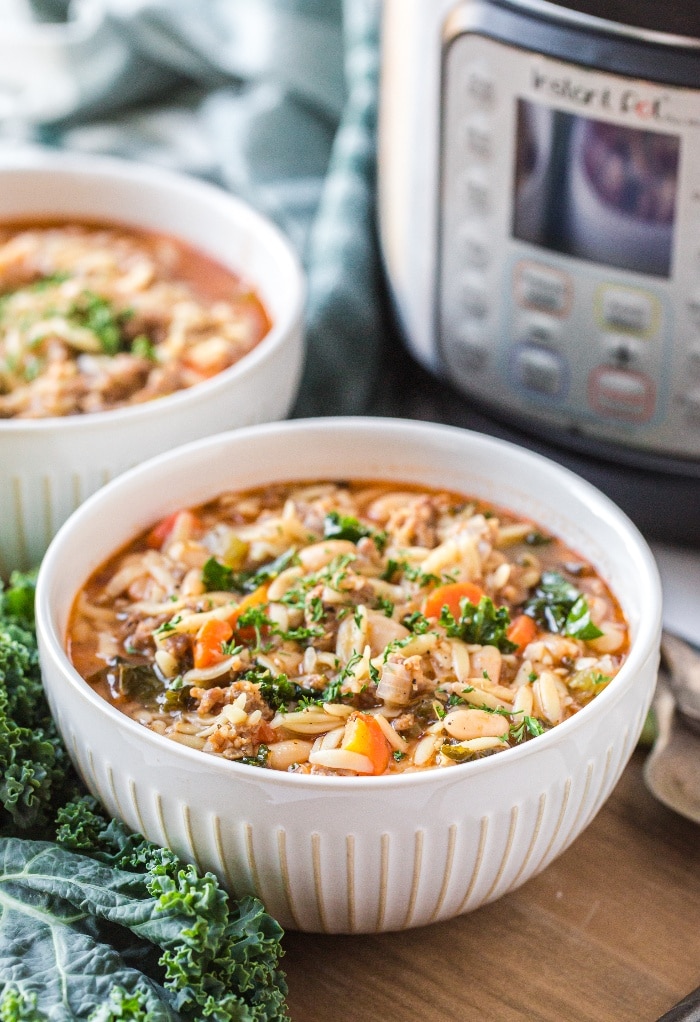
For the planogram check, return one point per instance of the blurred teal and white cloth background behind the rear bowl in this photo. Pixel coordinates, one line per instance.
(274, 101)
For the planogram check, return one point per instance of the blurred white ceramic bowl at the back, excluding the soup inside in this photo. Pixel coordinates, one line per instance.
(50, 467)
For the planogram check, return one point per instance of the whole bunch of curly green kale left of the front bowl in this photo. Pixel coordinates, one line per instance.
(98, 923)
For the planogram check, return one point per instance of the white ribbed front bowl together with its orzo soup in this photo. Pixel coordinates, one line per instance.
(367, 744)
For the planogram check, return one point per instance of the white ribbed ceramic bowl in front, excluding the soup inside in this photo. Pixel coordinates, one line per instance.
(358, 855)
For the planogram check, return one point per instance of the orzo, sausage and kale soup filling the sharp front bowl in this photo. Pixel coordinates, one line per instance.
(348, 629)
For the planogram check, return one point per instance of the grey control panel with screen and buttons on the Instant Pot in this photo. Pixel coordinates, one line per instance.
(570, 246)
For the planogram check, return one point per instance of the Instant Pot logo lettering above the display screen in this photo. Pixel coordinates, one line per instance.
(635, 103)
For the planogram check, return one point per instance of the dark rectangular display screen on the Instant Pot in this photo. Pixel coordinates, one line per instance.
(596, 191)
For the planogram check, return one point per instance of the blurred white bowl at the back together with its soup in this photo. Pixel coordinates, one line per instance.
(139, 309)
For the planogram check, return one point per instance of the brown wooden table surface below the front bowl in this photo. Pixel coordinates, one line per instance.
(610, 933)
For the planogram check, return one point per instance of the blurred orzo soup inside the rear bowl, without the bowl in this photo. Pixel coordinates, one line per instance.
(99, 317)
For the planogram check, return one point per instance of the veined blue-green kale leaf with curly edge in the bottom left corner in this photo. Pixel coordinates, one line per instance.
(129, 932)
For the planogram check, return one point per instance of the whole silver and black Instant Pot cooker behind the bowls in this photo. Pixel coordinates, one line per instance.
(540, 225)
